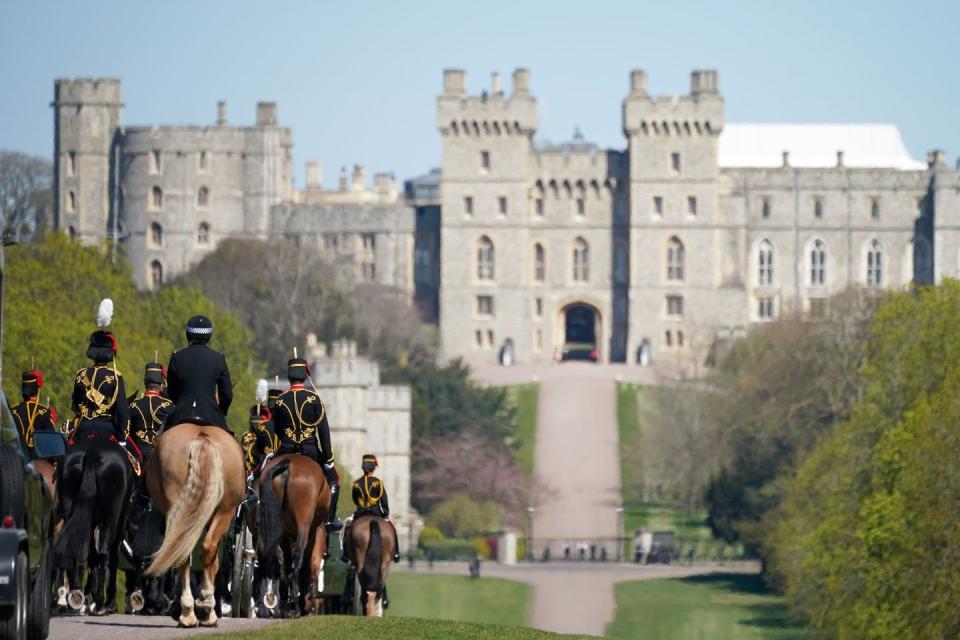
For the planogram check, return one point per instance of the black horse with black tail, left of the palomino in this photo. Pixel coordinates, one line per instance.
(94, 487)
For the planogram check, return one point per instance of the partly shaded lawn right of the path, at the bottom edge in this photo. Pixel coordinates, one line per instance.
(727, 607)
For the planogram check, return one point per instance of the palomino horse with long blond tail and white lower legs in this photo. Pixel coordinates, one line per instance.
(195, 476)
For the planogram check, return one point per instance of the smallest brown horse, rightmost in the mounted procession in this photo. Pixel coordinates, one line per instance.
(372, 553)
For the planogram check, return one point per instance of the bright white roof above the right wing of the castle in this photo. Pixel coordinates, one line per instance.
(814, 145)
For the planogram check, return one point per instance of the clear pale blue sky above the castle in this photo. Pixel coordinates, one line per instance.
(357, 80)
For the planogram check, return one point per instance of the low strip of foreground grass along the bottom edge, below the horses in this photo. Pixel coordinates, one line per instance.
(344, 628)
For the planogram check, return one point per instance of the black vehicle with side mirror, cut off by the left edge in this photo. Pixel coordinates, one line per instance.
(26, 526)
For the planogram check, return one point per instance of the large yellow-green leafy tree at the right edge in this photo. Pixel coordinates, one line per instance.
(866, 539)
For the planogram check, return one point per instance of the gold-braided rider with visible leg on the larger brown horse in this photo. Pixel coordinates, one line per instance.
(300, 424)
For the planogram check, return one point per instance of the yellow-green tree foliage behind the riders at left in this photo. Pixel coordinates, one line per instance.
(52, 289)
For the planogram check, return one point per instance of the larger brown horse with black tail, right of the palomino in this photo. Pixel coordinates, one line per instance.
(294, 500)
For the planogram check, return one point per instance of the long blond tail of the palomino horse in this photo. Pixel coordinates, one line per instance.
(189, 515)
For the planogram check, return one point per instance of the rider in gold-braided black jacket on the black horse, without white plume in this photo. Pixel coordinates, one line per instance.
(99, 395)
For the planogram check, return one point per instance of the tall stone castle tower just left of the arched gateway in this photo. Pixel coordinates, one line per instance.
(487, 150)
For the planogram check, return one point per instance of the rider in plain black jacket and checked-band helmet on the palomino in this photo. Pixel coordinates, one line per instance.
(198, 380)
